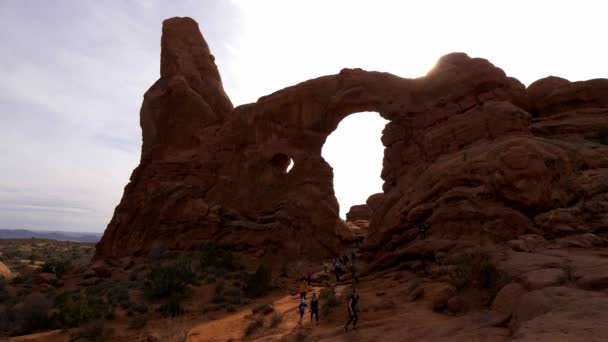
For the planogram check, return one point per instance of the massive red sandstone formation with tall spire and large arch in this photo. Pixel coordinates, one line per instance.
(469, 150)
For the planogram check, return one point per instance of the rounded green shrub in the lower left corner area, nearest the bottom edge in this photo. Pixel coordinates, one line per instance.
(74, 309)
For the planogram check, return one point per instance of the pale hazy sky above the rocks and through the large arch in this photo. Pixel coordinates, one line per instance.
(74, 74)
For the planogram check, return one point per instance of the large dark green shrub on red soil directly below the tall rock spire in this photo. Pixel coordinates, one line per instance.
(168, 280)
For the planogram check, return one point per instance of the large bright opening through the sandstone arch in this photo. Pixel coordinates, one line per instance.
(355, 152)
